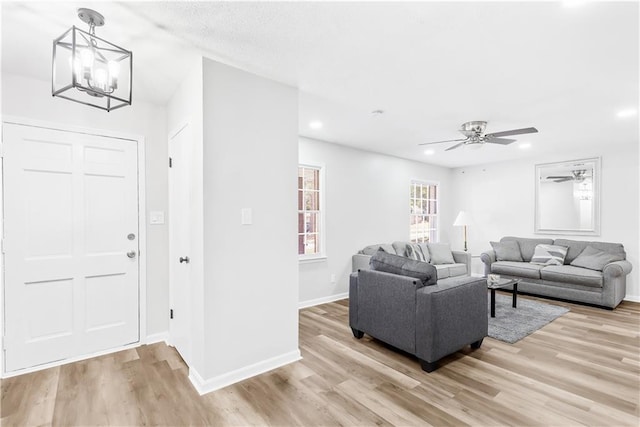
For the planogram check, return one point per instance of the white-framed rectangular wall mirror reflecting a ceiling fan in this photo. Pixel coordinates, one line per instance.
(568, 197)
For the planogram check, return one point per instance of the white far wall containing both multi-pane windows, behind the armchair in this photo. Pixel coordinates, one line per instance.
(367, 202)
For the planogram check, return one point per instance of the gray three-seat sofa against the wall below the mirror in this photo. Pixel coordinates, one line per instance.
(600, 283)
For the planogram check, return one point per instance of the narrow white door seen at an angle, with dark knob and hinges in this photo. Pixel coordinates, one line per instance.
(180, 151)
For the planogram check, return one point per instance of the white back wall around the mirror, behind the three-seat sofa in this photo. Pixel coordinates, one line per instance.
(500, 197)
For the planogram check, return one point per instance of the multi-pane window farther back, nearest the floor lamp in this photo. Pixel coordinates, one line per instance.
(423, 214)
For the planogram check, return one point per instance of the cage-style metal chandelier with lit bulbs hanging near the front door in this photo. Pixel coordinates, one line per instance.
(90, 70)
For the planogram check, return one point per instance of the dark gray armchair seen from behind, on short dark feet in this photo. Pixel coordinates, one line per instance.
(429, 322)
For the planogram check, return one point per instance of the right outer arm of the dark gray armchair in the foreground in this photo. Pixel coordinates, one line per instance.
(450, 315)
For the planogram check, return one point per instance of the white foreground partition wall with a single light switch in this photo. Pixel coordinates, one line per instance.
(250, 271)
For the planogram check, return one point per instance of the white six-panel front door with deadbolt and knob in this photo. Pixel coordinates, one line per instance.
(71, 244)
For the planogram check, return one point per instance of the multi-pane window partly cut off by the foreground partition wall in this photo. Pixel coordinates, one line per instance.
(310, 237)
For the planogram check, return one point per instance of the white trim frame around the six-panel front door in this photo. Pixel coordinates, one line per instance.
(142, 237)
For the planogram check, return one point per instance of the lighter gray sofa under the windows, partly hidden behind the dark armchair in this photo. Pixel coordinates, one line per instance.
(434, 254)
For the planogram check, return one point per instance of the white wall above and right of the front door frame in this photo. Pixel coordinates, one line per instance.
(30, 98)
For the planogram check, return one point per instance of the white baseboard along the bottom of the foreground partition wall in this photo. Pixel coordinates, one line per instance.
(203, 386)
